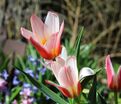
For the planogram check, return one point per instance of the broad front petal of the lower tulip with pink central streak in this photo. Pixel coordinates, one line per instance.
(65, 77)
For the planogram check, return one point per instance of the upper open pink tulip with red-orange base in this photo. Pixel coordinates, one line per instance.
(45, 37)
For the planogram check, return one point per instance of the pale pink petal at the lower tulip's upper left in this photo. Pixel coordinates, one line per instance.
(56, 67)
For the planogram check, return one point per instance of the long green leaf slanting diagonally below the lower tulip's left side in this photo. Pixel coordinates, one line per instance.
(44, 89)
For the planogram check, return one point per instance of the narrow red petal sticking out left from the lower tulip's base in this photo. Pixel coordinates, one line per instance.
(64, 91)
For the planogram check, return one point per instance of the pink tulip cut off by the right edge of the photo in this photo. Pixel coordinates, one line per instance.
(114, 80)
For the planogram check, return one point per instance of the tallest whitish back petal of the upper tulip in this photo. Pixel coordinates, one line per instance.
(52, 23)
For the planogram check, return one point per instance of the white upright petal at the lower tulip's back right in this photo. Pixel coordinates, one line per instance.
(72, 63)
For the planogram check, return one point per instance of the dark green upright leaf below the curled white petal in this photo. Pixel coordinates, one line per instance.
(92, 92)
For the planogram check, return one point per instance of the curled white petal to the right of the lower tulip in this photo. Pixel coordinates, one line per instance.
(84, 72)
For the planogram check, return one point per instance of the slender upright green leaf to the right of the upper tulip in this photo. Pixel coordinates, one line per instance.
(78, 42)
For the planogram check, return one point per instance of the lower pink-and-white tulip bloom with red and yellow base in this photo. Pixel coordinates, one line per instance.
(66, 73)
